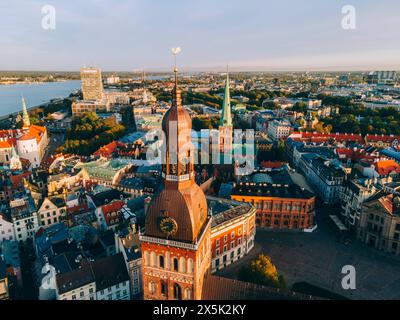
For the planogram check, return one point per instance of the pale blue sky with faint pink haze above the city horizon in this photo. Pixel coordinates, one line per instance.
(247, 35)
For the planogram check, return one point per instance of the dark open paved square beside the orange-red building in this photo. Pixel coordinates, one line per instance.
(318, 258)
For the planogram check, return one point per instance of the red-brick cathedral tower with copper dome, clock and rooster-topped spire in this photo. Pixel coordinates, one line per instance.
(176, 242)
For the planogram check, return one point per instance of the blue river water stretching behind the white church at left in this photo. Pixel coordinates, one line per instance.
(34, 94)
